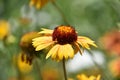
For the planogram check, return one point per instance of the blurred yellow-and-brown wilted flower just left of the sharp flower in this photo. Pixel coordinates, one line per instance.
(26, 46)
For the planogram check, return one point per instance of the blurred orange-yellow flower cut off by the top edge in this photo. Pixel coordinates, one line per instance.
(38, 3)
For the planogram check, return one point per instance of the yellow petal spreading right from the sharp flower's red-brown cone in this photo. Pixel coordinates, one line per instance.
(85, 42)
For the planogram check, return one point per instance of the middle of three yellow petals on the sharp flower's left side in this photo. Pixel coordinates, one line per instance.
(41, 40)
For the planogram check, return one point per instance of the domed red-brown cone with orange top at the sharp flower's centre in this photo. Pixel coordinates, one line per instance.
(64, 34)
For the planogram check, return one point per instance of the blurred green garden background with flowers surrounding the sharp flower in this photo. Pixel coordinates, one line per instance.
(97, 19)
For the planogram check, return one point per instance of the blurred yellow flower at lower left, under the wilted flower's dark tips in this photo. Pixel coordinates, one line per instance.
(22, 66)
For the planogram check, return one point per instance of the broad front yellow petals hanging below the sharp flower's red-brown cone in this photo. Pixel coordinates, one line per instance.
(58, 52)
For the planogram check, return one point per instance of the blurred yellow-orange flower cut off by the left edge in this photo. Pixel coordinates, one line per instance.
(4, 29)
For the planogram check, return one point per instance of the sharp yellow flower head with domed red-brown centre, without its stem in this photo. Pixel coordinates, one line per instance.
(65, 42)
